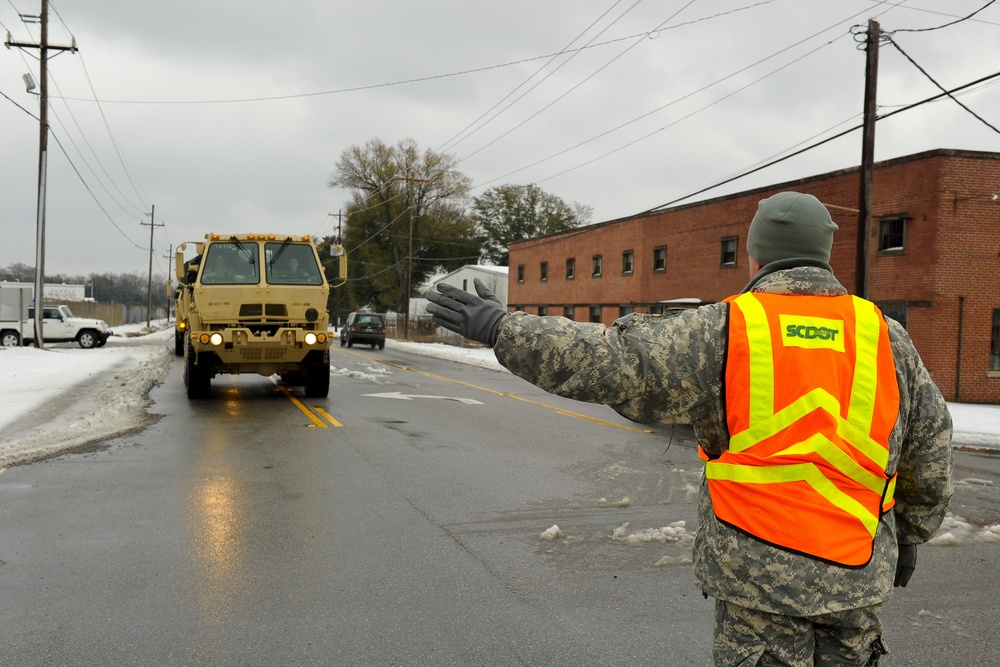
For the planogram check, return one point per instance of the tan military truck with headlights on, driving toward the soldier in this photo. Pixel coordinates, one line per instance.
(254, 303)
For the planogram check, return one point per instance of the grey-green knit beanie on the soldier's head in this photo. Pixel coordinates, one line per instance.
(791, 225)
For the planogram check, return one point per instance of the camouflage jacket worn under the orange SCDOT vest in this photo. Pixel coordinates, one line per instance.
(670, 367)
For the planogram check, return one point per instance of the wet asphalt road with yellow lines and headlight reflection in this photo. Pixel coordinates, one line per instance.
(254, 529)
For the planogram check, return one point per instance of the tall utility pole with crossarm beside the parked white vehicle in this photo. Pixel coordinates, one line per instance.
(43, 139)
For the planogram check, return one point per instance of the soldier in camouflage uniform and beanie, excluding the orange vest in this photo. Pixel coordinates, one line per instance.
(773, 606)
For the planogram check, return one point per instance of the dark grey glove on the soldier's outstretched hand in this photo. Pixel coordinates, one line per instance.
(475, 317)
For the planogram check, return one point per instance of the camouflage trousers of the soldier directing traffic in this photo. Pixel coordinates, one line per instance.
(750, 638)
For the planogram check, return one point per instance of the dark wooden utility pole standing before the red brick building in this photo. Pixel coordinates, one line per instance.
(867, 159)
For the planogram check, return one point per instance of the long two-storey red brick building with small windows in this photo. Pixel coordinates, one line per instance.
(934, 259)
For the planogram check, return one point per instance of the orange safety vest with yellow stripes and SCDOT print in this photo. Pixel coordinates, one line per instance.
(811, 398)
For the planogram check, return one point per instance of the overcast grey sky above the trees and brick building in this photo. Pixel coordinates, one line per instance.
(229, 115)
